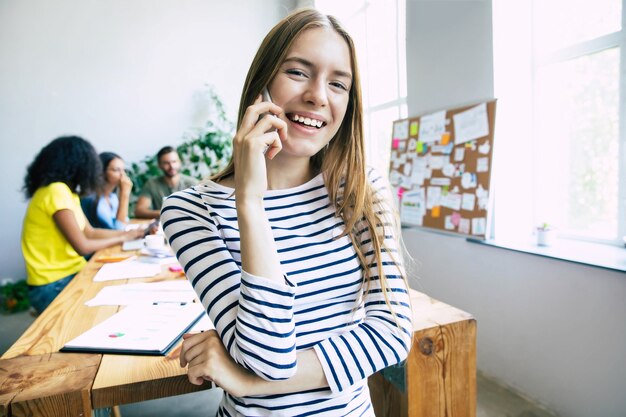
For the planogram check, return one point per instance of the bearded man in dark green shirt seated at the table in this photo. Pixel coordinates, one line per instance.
(156, 189)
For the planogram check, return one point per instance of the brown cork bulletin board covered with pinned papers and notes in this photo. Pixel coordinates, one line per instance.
(440, 168)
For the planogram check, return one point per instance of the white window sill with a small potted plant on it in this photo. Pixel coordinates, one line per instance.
(586, 253)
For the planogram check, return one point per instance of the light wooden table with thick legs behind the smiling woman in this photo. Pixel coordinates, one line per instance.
(37, 380)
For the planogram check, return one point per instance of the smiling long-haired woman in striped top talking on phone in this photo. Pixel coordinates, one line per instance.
(293, 248)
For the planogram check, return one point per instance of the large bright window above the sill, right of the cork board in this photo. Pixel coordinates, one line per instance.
(557, 67)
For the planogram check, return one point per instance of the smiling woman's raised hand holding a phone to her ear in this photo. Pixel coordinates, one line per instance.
(258, 138)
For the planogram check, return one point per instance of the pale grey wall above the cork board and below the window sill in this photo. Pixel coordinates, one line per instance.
(553, 330)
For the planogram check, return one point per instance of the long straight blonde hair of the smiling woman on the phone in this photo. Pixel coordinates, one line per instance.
(343, 161)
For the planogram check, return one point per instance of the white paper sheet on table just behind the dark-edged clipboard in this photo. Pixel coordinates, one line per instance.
(177, 291)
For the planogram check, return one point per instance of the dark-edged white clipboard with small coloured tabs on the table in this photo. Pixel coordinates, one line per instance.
(139, 330)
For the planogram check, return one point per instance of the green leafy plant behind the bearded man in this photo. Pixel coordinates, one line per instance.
(204, 150)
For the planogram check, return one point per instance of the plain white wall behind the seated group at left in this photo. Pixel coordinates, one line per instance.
(122, 74)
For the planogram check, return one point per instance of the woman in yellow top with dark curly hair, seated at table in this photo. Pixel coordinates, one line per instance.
(55, 234)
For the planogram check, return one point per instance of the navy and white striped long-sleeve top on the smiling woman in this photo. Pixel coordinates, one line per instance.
(263, 323)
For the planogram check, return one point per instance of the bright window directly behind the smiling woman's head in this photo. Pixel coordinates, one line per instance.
(378, 30)
